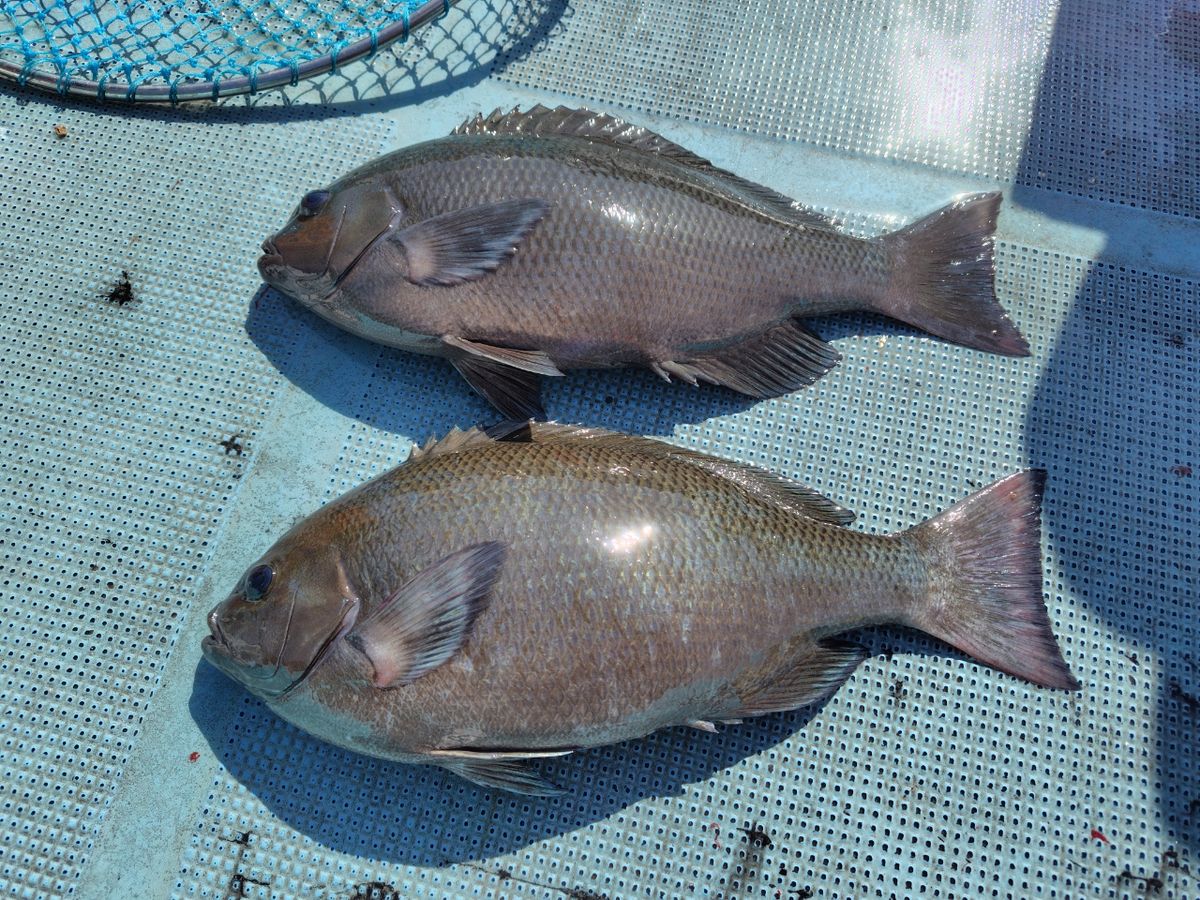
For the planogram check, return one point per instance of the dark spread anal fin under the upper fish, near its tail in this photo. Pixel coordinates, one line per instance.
(778, 362)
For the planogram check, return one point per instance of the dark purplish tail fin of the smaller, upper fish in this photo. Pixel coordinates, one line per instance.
(945, 278)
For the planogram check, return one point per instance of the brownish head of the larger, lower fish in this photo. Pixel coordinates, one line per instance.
(281, 619)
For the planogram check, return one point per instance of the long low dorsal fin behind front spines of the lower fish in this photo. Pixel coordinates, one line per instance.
(765, 485)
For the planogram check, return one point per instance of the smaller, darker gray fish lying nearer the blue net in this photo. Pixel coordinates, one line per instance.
(533, 243)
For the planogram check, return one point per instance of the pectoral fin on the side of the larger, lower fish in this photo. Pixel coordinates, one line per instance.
(427, 621)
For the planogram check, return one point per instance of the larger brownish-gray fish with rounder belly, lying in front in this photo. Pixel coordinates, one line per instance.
(537, 590)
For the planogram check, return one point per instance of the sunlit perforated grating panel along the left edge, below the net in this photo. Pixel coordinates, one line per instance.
(116, 482)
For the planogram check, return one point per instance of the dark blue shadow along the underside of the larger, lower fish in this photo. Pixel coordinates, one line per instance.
(425, 817)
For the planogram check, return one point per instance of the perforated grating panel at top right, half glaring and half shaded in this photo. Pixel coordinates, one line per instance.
(1085, 97)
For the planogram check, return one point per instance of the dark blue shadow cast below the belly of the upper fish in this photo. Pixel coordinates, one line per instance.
(423, 397)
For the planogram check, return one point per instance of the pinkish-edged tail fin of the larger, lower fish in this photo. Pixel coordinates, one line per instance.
(987, 598)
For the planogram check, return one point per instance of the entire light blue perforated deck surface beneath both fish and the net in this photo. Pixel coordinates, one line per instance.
(152, 449)
